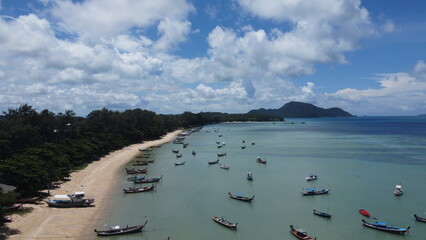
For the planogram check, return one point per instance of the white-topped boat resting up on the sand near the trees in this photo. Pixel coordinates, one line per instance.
(67, 201)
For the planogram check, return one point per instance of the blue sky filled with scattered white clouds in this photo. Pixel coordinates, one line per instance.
(171, 56)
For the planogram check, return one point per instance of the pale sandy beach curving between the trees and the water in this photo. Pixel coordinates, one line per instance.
(96, 180)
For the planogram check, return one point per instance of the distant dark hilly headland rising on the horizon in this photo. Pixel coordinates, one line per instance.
(302, 110)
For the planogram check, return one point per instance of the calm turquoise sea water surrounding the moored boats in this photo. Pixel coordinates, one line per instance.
(360, 159)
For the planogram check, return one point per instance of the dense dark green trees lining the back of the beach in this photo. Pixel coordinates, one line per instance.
(38, 148)
